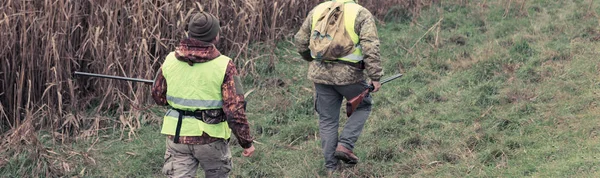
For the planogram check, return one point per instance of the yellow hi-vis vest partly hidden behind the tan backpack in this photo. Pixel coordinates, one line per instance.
(350, 13)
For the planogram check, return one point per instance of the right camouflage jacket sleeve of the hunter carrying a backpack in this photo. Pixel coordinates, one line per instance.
(369, 41)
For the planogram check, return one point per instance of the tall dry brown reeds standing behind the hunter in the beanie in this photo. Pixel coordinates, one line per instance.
(44, 41)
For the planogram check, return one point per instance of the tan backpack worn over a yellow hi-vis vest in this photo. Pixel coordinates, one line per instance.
(329, 39)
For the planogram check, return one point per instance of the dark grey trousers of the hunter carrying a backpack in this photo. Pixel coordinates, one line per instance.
(327, 104)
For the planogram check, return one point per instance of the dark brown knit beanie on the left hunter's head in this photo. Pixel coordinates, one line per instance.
(203, 26)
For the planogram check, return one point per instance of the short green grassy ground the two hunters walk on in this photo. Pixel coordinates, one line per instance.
(490, 89)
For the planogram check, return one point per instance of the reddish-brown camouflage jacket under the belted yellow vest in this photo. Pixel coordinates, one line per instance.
(193, 51)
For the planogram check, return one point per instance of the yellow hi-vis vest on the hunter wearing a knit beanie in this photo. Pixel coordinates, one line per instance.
(191, 88)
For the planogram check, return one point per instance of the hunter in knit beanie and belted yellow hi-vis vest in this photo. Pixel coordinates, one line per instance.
(206, 101)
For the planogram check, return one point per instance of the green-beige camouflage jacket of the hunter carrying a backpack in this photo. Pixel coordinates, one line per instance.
(338, 73)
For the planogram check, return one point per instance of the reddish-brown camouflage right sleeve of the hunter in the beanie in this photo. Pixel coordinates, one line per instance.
(233, 106)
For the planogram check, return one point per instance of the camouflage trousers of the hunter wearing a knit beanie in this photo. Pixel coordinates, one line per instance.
(182, 160)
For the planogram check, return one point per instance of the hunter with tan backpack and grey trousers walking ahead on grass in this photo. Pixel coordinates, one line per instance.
(341, 76)
